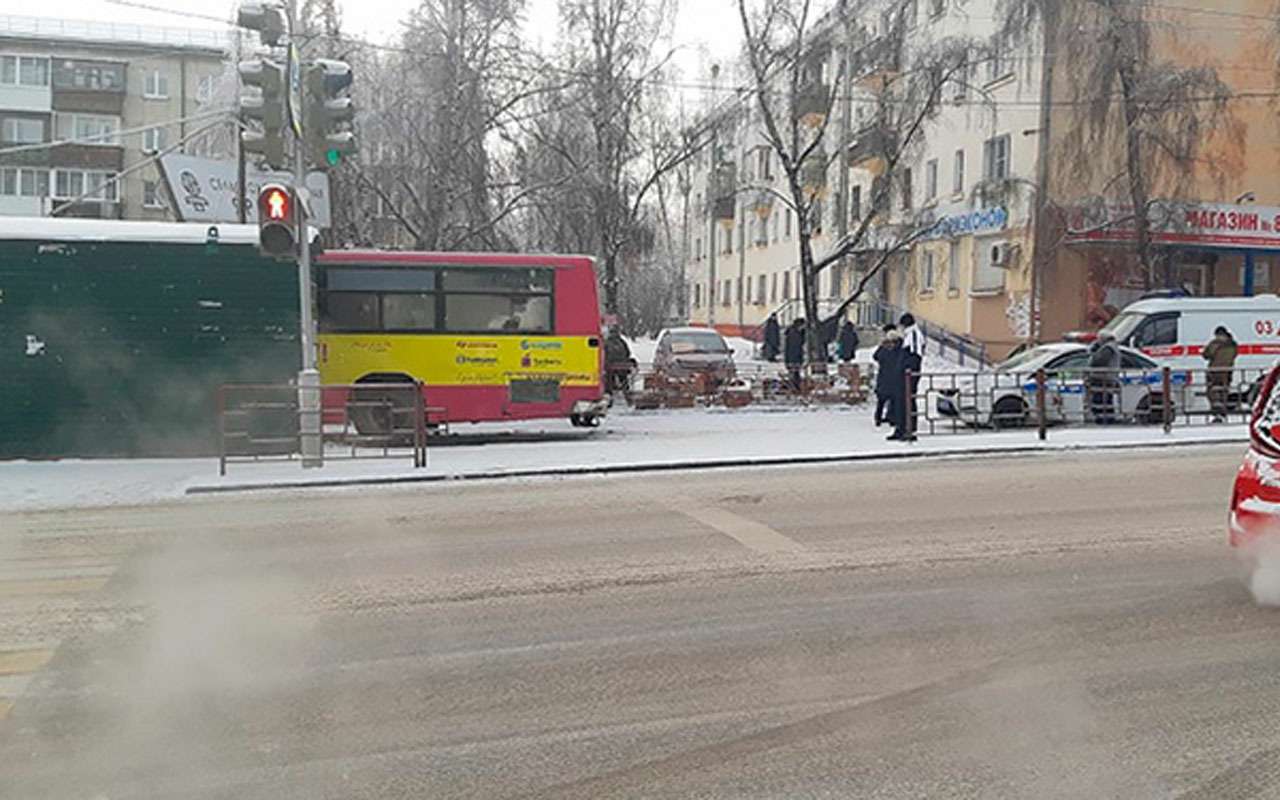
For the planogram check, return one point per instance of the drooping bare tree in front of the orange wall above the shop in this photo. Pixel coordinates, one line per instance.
(1132, 116)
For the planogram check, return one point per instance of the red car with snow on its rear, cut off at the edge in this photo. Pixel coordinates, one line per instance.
(1256, 497)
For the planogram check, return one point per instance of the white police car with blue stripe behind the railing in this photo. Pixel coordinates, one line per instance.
(1005, 397)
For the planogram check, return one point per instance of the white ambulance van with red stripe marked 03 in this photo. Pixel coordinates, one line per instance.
(1174, 332)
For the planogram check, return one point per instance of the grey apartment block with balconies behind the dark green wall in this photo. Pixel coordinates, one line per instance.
(115, 95)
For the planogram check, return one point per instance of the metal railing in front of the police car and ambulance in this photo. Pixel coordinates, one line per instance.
(958, 403)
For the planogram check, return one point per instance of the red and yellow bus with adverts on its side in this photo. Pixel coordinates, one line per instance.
(491, 336)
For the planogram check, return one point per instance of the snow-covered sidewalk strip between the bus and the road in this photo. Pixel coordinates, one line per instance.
(628, 440)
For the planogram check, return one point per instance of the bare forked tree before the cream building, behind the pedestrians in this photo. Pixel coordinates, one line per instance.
(788, 52)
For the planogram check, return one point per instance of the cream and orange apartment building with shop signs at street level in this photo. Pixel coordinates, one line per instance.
(996, 171)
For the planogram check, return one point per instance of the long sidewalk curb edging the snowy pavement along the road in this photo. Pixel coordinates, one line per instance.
(719, 464)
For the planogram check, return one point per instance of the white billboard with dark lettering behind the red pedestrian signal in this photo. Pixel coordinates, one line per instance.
(205, 190)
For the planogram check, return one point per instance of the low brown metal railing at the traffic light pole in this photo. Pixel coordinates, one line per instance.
(260, 422)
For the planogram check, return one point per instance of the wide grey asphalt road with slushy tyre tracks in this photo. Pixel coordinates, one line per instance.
(1054, 627)
